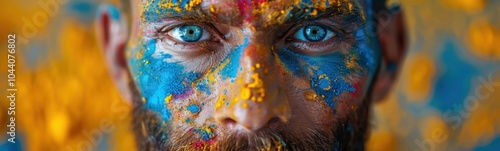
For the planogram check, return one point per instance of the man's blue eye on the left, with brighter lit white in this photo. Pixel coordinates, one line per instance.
(189, 33)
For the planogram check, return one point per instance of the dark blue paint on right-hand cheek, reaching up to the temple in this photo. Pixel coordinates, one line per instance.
(327, 72)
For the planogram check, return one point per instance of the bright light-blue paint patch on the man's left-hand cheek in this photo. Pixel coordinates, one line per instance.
(158, 79)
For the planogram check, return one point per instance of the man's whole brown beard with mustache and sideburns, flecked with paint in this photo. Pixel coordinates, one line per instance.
(348, 133)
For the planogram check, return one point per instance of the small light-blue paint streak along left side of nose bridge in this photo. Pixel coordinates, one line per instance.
(233, 61)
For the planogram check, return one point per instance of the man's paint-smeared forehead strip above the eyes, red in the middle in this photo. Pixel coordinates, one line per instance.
(238, 12)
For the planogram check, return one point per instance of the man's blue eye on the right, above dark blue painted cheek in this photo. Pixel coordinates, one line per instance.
(314, 33)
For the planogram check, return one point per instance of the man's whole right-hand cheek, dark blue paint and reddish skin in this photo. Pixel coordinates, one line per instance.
(338, 80)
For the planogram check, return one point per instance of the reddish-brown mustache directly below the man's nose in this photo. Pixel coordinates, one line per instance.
(310, 139)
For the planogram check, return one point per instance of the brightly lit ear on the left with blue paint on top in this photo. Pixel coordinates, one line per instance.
(111, 32)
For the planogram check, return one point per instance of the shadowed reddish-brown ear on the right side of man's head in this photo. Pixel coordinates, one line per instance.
(393, 44)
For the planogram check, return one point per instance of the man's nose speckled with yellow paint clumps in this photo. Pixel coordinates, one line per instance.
(254, 100)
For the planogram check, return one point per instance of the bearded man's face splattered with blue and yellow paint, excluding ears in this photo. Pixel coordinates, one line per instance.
(251, 74)
